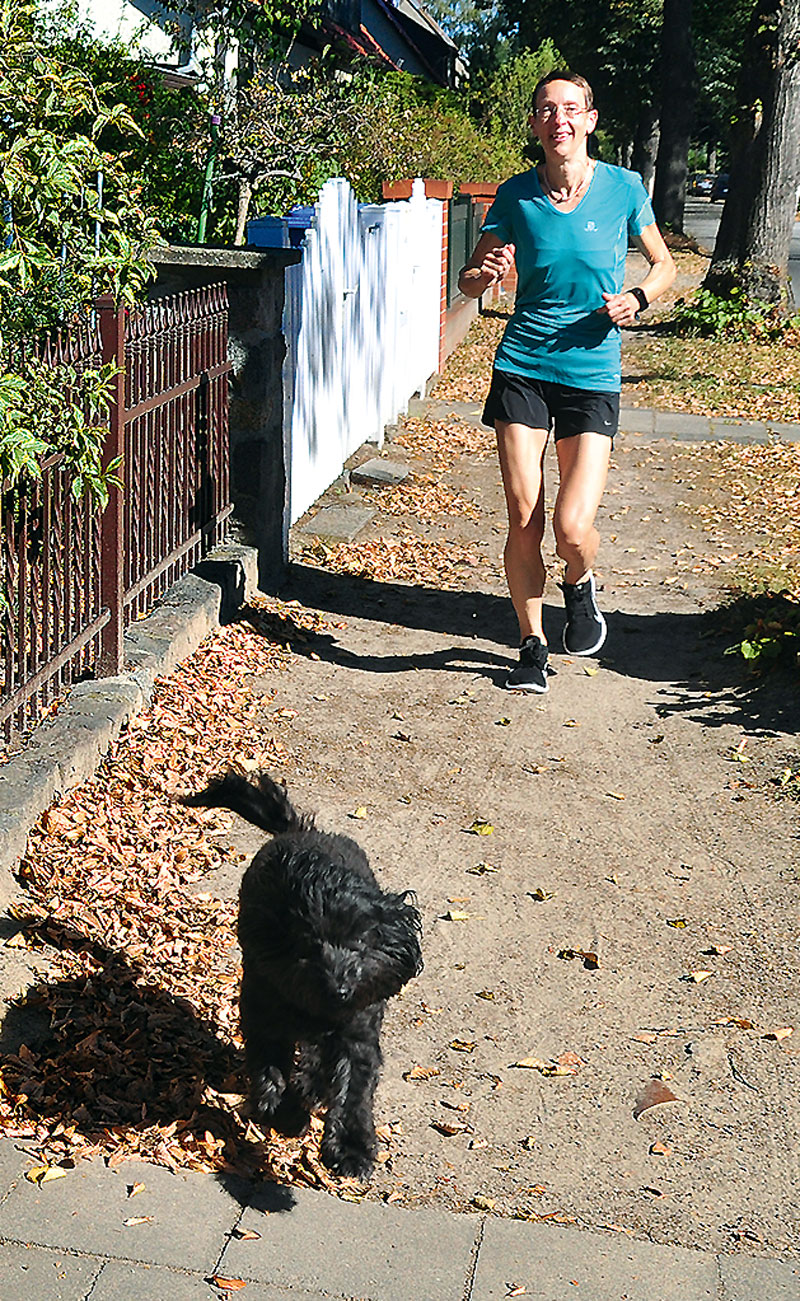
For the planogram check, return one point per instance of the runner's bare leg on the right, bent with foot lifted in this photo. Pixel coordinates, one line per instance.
(583, 465)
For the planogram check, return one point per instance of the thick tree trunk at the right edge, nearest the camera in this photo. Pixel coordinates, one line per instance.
(758, 221)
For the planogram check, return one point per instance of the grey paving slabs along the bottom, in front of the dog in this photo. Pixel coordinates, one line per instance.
(70, 1242)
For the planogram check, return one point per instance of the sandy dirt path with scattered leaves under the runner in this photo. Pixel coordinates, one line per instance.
(634, 816)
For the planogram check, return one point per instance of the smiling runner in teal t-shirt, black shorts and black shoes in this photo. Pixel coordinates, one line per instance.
(567, 226)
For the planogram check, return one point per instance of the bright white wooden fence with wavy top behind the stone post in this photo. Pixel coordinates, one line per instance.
(361, 322)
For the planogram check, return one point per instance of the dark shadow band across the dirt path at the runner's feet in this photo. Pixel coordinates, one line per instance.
(682, 654)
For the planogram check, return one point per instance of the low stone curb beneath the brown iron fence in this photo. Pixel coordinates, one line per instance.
(68, 749)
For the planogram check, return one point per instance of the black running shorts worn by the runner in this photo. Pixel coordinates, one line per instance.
(543, 405)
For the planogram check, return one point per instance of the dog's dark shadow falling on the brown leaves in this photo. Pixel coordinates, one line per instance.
(118, 1061)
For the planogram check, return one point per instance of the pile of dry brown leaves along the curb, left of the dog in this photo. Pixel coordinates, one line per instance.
(142, 1056)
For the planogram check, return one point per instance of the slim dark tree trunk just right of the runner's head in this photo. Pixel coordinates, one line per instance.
(677, 114)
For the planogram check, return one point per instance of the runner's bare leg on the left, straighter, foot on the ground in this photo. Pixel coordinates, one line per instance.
(521, 461)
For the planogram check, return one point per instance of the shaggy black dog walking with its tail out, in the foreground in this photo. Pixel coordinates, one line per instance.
(323, 949)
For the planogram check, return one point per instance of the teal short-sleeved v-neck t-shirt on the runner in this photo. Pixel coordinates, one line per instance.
(565, 262)
